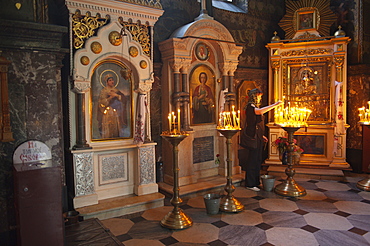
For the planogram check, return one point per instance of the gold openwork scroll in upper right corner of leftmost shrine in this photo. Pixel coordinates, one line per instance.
(140, 33)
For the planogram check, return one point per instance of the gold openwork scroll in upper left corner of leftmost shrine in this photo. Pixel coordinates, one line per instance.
(84, 27)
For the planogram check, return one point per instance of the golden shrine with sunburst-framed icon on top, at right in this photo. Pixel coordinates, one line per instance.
(308, 70)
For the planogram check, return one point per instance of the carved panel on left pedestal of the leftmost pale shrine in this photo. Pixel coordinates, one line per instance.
(84, 174)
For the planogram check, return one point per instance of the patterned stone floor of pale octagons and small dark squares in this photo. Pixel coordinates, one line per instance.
(332, 213)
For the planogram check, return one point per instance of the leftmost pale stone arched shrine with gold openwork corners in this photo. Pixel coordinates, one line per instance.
(111, 166)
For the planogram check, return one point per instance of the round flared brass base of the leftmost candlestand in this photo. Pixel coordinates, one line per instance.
(176, 220)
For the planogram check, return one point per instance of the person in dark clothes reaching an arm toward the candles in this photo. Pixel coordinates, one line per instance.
(252, 138)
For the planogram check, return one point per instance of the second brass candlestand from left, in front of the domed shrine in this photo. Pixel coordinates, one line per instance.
(229, 203)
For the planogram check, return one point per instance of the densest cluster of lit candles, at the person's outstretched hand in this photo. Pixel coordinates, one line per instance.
(291, 116)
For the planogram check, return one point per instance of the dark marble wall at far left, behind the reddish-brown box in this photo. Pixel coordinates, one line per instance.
(35, 100)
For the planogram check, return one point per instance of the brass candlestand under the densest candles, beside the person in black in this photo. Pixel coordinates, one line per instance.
(289, 187)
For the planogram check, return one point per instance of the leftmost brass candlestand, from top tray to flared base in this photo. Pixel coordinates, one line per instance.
(176, 219)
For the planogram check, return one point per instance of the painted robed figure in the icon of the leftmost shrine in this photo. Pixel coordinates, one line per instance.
(111, 109)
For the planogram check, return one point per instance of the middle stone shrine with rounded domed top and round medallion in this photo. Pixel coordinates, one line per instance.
(181, 60)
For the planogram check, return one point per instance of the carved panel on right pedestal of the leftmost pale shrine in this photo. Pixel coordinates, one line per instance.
(147, 165)
